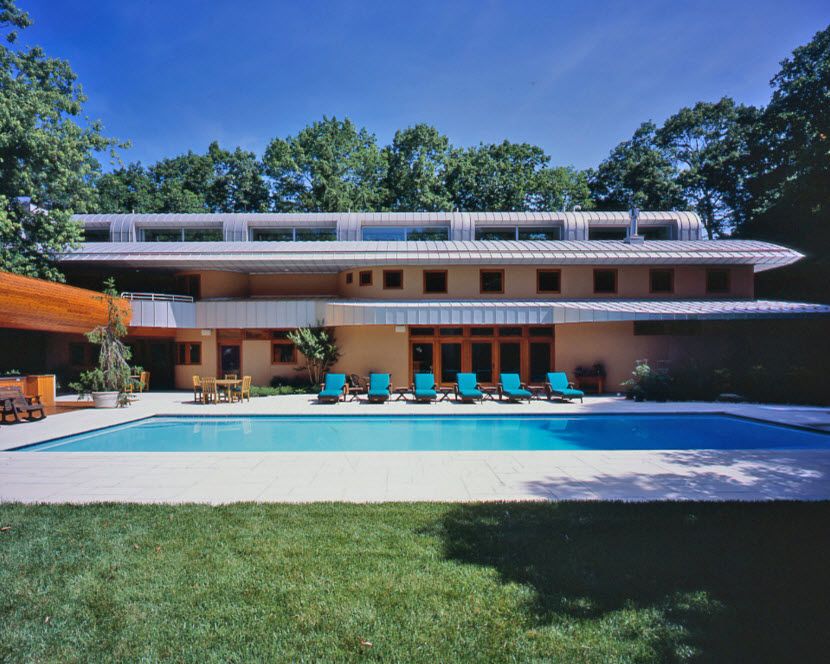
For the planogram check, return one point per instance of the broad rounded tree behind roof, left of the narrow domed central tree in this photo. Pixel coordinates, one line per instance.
(329, 166)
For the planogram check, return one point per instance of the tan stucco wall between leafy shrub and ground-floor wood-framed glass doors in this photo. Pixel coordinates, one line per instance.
(374, 348)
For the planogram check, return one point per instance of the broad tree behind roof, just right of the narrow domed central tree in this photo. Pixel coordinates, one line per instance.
(498, 177)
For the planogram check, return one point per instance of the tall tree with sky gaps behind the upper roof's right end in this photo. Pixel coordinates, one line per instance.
(703, 143)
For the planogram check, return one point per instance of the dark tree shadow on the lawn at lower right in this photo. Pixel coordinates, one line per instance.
(743, 581)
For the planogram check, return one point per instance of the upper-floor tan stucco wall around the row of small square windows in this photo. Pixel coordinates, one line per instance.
(520, 283)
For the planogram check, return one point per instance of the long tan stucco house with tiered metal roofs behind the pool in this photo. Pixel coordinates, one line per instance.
(447, 292)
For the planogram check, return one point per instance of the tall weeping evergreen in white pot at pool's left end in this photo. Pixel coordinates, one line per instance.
(107, 383)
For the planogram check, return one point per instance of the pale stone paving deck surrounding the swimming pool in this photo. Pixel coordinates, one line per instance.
(403, 476)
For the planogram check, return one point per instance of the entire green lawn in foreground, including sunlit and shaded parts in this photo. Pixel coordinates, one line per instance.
(567, 582)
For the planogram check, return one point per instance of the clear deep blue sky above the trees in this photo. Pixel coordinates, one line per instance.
(573, 77)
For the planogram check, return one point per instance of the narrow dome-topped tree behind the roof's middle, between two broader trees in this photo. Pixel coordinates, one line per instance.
(416, 171)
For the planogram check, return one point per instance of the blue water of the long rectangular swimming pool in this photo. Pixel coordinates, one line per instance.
(426, 433)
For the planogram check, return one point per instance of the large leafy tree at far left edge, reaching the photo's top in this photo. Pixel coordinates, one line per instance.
(47, 161)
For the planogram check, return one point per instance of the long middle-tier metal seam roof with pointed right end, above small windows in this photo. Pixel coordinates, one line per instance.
(329, 257)
